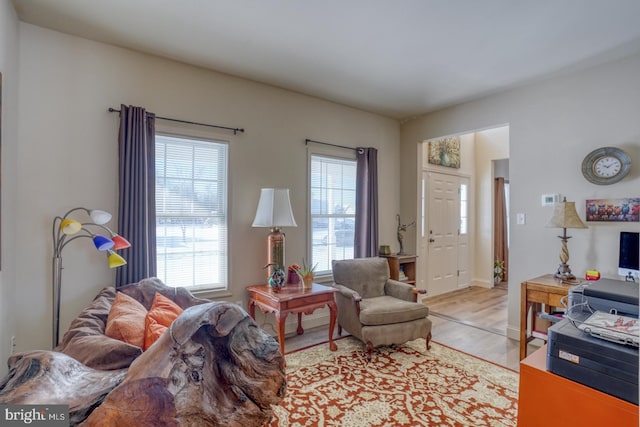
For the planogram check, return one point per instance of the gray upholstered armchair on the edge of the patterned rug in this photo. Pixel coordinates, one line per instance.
(376, 309)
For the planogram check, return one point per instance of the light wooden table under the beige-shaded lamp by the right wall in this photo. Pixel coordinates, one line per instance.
(547, 290)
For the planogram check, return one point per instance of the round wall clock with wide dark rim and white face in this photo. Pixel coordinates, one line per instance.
(606, 165)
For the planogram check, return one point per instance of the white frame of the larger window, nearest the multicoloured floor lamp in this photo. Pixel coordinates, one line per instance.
(207, 137)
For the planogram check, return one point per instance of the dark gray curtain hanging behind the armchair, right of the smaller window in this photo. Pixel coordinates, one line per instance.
(366, 226)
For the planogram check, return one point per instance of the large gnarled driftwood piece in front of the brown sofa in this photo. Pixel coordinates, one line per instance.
(213, 367)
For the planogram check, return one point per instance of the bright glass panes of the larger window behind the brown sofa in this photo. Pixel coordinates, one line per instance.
(191, 212)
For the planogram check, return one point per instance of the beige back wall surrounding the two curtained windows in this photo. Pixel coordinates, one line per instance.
(68, 158)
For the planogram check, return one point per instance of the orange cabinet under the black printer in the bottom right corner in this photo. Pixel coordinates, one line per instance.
(545, 398)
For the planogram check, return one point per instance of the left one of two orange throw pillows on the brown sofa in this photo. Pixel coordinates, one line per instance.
(126, 320)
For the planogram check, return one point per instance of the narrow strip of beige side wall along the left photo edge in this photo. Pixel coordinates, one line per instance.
(9, 140)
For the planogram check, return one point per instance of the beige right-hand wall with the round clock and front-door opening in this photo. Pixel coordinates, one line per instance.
(552, 126)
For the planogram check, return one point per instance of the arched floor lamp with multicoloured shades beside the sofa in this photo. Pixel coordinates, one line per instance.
(65, 230)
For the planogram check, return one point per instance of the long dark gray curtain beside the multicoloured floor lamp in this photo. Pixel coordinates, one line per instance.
(137, 210)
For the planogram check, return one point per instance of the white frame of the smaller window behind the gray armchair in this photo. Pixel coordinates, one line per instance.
(340, 154)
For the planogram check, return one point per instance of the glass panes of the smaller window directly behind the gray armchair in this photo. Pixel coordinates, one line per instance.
(333, 210)
